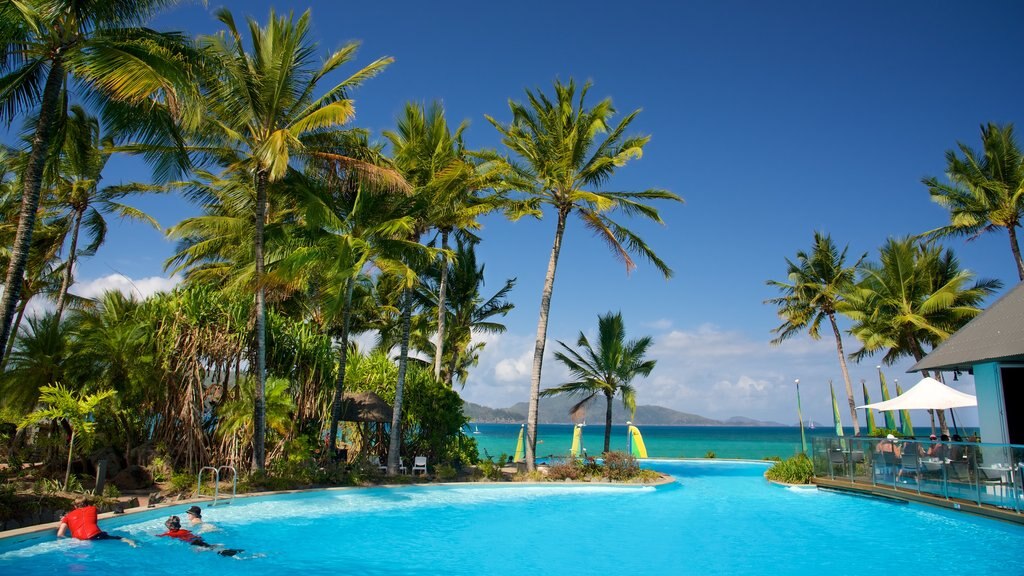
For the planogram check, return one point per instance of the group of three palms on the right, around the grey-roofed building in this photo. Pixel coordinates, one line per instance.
(917, 295)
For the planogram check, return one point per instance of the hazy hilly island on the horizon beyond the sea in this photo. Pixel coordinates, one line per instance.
(556, 412)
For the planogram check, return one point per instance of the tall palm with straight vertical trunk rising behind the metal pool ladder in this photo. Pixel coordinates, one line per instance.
(264, 108)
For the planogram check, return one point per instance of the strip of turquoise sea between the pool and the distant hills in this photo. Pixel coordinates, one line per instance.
(662, 442)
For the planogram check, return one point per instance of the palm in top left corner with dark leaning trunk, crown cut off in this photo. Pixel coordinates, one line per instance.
(100, 49)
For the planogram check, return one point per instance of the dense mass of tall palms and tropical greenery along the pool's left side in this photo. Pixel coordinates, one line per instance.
(308, 233)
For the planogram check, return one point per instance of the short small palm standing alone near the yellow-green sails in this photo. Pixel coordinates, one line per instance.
(609, 371)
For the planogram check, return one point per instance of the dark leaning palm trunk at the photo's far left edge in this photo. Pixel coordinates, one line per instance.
(46, 126)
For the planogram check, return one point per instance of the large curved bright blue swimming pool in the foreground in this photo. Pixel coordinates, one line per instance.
(722, 519)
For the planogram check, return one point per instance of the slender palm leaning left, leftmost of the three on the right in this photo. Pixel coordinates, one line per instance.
(816, 287)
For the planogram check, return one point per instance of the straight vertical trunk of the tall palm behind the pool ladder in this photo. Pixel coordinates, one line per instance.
(260, 408)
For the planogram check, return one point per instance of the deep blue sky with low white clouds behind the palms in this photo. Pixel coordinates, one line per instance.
(772, 120)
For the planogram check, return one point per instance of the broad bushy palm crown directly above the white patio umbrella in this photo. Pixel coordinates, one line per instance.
(912, 301)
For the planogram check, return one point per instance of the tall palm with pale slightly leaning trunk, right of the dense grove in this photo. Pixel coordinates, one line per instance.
(568, 152)
